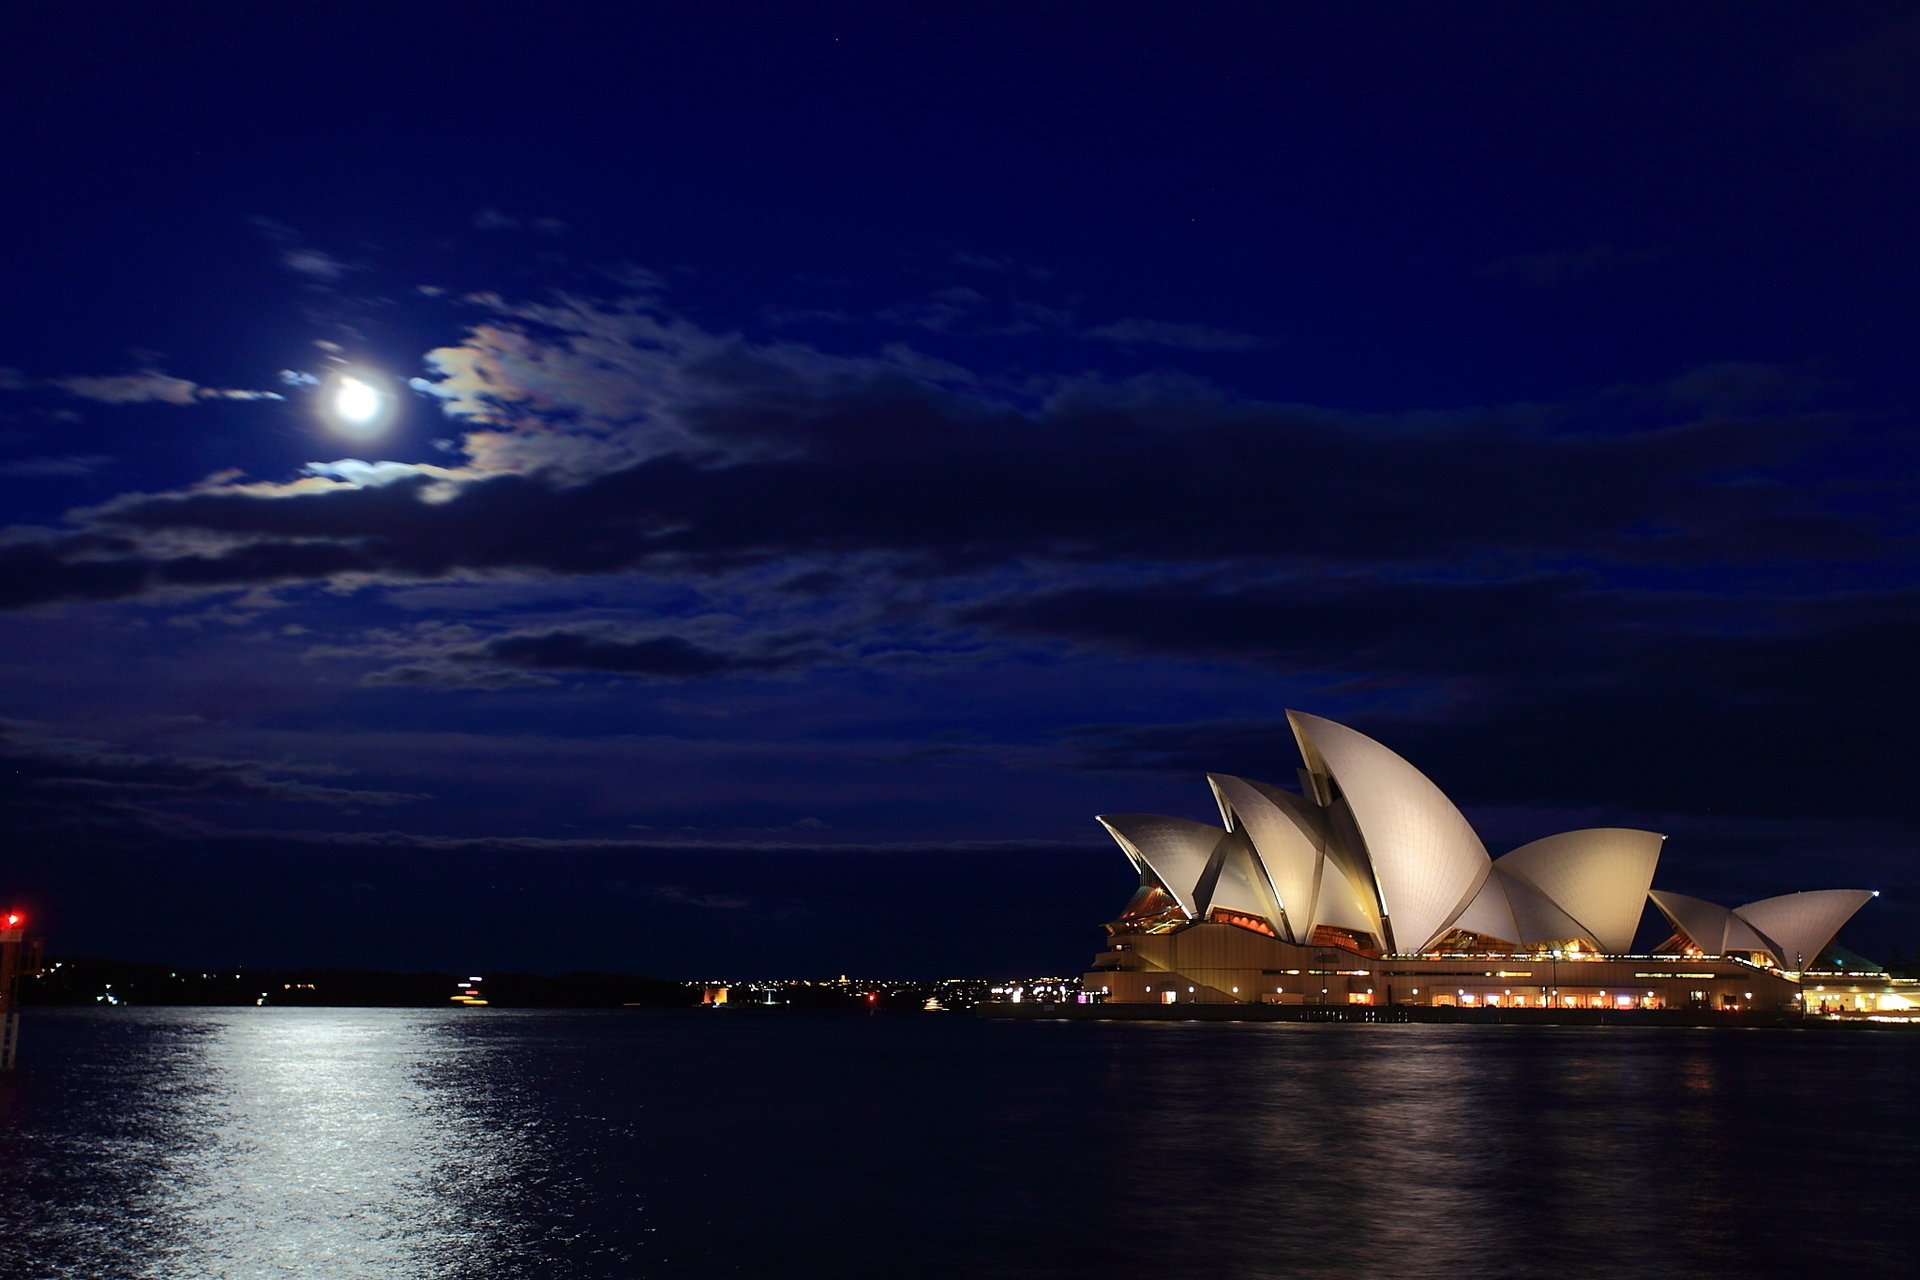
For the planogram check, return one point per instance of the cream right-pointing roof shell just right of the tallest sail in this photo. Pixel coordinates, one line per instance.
(1598, 876)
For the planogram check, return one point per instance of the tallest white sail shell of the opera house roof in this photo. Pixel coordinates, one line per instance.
(1426, 857)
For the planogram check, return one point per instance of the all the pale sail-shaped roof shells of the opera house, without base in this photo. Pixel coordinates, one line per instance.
(1376, 847)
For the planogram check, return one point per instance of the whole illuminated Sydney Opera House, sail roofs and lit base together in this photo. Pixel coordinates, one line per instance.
(1368, 888)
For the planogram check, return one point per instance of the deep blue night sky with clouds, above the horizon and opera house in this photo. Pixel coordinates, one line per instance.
(836, 452)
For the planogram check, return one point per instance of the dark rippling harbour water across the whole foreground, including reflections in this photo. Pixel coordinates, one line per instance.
(393, 1145)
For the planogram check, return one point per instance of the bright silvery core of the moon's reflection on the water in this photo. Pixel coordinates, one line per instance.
(341, 1135)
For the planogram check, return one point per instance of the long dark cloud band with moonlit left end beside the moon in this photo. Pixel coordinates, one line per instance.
(610, 437)
